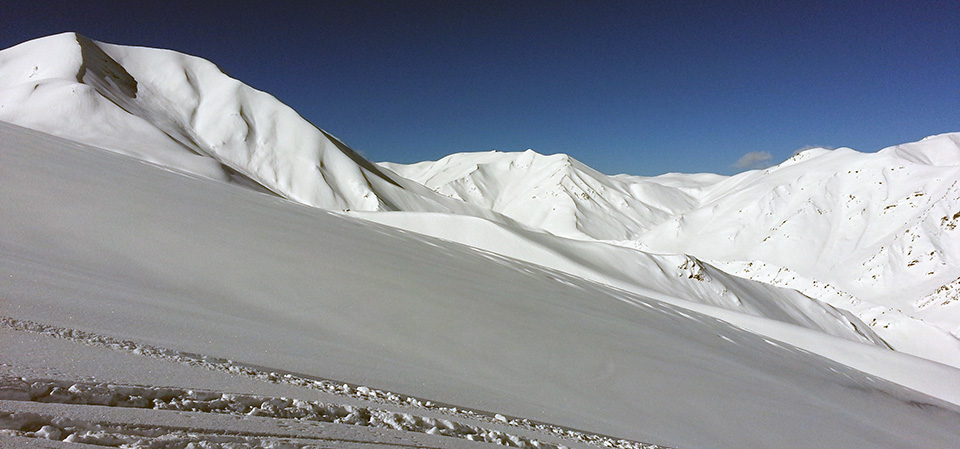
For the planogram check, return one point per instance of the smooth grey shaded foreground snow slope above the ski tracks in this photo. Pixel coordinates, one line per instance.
(96, 243)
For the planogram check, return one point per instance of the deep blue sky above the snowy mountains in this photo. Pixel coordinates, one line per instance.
(626, 87)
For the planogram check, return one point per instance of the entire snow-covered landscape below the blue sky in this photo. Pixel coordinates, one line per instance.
(185, 260)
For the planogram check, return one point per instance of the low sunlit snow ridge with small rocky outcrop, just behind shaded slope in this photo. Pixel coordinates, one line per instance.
(679, 279)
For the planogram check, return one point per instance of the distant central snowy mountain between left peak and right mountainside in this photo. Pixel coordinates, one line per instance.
(555, 193)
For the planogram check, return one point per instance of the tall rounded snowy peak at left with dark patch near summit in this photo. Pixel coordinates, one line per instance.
(182, 112)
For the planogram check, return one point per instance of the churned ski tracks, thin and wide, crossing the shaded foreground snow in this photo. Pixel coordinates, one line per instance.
(38, 425)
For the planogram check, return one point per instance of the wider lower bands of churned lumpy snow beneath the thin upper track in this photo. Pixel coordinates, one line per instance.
(56, 427)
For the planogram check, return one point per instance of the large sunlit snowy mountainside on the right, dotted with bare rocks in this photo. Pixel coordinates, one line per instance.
(871, 233)
